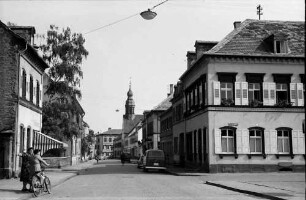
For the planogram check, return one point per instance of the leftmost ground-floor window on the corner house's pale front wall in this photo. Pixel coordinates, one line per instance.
(227, 141)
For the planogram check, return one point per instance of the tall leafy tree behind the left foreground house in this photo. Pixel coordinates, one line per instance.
(64, 52)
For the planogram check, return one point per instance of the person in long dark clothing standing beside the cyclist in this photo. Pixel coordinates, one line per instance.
(25, 174)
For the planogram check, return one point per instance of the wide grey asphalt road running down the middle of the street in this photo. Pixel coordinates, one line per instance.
(109, 180)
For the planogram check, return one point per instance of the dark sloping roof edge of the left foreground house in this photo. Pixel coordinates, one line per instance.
(30, 49)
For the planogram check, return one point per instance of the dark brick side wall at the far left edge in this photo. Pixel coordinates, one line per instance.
(8, 81)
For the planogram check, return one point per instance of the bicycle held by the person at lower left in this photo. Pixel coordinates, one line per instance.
(39, 188)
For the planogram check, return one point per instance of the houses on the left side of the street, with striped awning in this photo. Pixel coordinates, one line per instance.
(22, 81)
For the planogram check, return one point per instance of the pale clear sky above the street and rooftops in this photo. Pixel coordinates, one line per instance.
(149, 53)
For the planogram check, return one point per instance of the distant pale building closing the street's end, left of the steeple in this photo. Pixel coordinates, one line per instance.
(105, 141)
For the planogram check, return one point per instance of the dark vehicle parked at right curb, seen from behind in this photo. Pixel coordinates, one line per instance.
(154, 159)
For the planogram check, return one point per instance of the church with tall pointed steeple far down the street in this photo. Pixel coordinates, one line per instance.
(130, 120)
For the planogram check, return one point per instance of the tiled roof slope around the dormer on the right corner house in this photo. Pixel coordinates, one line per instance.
(250, 38)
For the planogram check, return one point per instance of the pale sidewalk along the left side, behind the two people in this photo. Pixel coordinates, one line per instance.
(11, 188)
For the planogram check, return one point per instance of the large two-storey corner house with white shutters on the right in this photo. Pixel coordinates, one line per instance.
(244, 100)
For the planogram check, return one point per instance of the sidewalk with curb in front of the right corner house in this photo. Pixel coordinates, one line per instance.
(276, 185)
